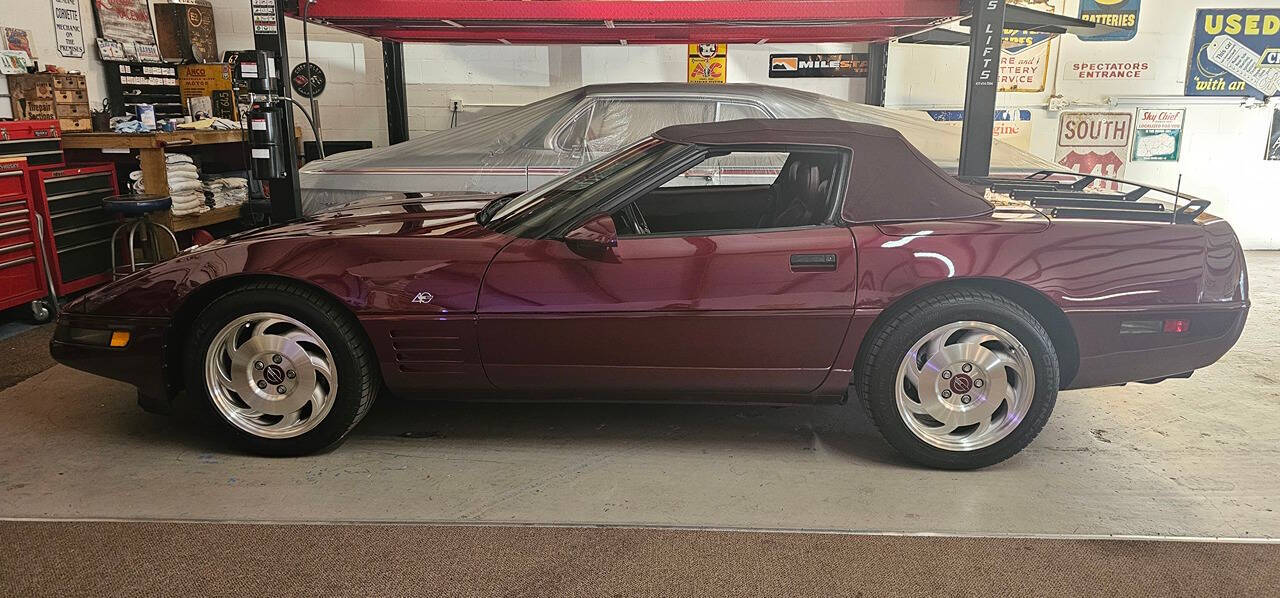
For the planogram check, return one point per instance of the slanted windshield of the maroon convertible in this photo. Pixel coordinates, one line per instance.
(578, 190)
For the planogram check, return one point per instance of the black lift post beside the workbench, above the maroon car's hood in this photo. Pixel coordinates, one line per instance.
(286, 195)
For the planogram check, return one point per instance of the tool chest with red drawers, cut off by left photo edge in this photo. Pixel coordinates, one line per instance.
(22, 266)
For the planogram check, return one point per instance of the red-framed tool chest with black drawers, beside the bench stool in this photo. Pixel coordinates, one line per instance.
(80, 232)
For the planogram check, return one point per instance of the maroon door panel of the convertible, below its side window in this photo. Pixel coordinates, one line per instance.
(708, 314)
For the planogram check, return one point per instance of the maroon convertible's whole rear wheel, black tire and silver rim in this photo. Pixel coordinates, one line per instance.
(961, 380)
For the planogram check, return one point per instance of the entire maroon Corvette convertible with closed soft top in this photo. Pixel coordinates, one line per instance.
(953, 309)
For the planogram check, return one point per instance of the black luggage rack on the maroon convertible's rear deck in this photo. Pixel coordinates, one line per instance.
(1069, 199)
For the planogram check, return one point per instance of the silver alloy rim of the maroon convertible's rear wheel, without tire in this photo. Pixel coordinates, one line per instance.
(966, 386)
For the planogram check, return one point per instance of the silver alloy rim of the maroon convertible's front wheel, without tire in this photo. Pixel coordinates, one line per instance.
(271, 376)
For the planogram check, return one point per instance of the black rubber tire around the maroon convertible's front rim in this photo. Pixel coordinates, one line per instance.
(354, 358)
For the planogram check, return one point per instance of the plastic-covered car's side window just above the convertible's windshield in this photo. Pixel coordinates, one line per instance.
(619, 124)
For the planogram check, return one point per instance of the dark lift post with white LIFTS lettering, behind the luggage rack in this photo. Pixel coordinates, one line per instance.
(981, 88)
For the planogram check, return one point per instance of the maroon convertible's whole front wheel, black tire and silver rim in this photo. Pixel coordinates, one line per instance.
(282, 369)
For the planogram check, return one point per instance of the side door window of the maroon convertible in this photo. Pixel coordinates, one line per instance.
(799, 190)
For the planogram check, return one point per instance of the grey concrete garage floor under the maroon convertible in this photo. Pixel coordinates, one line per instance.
(1186, 459)
